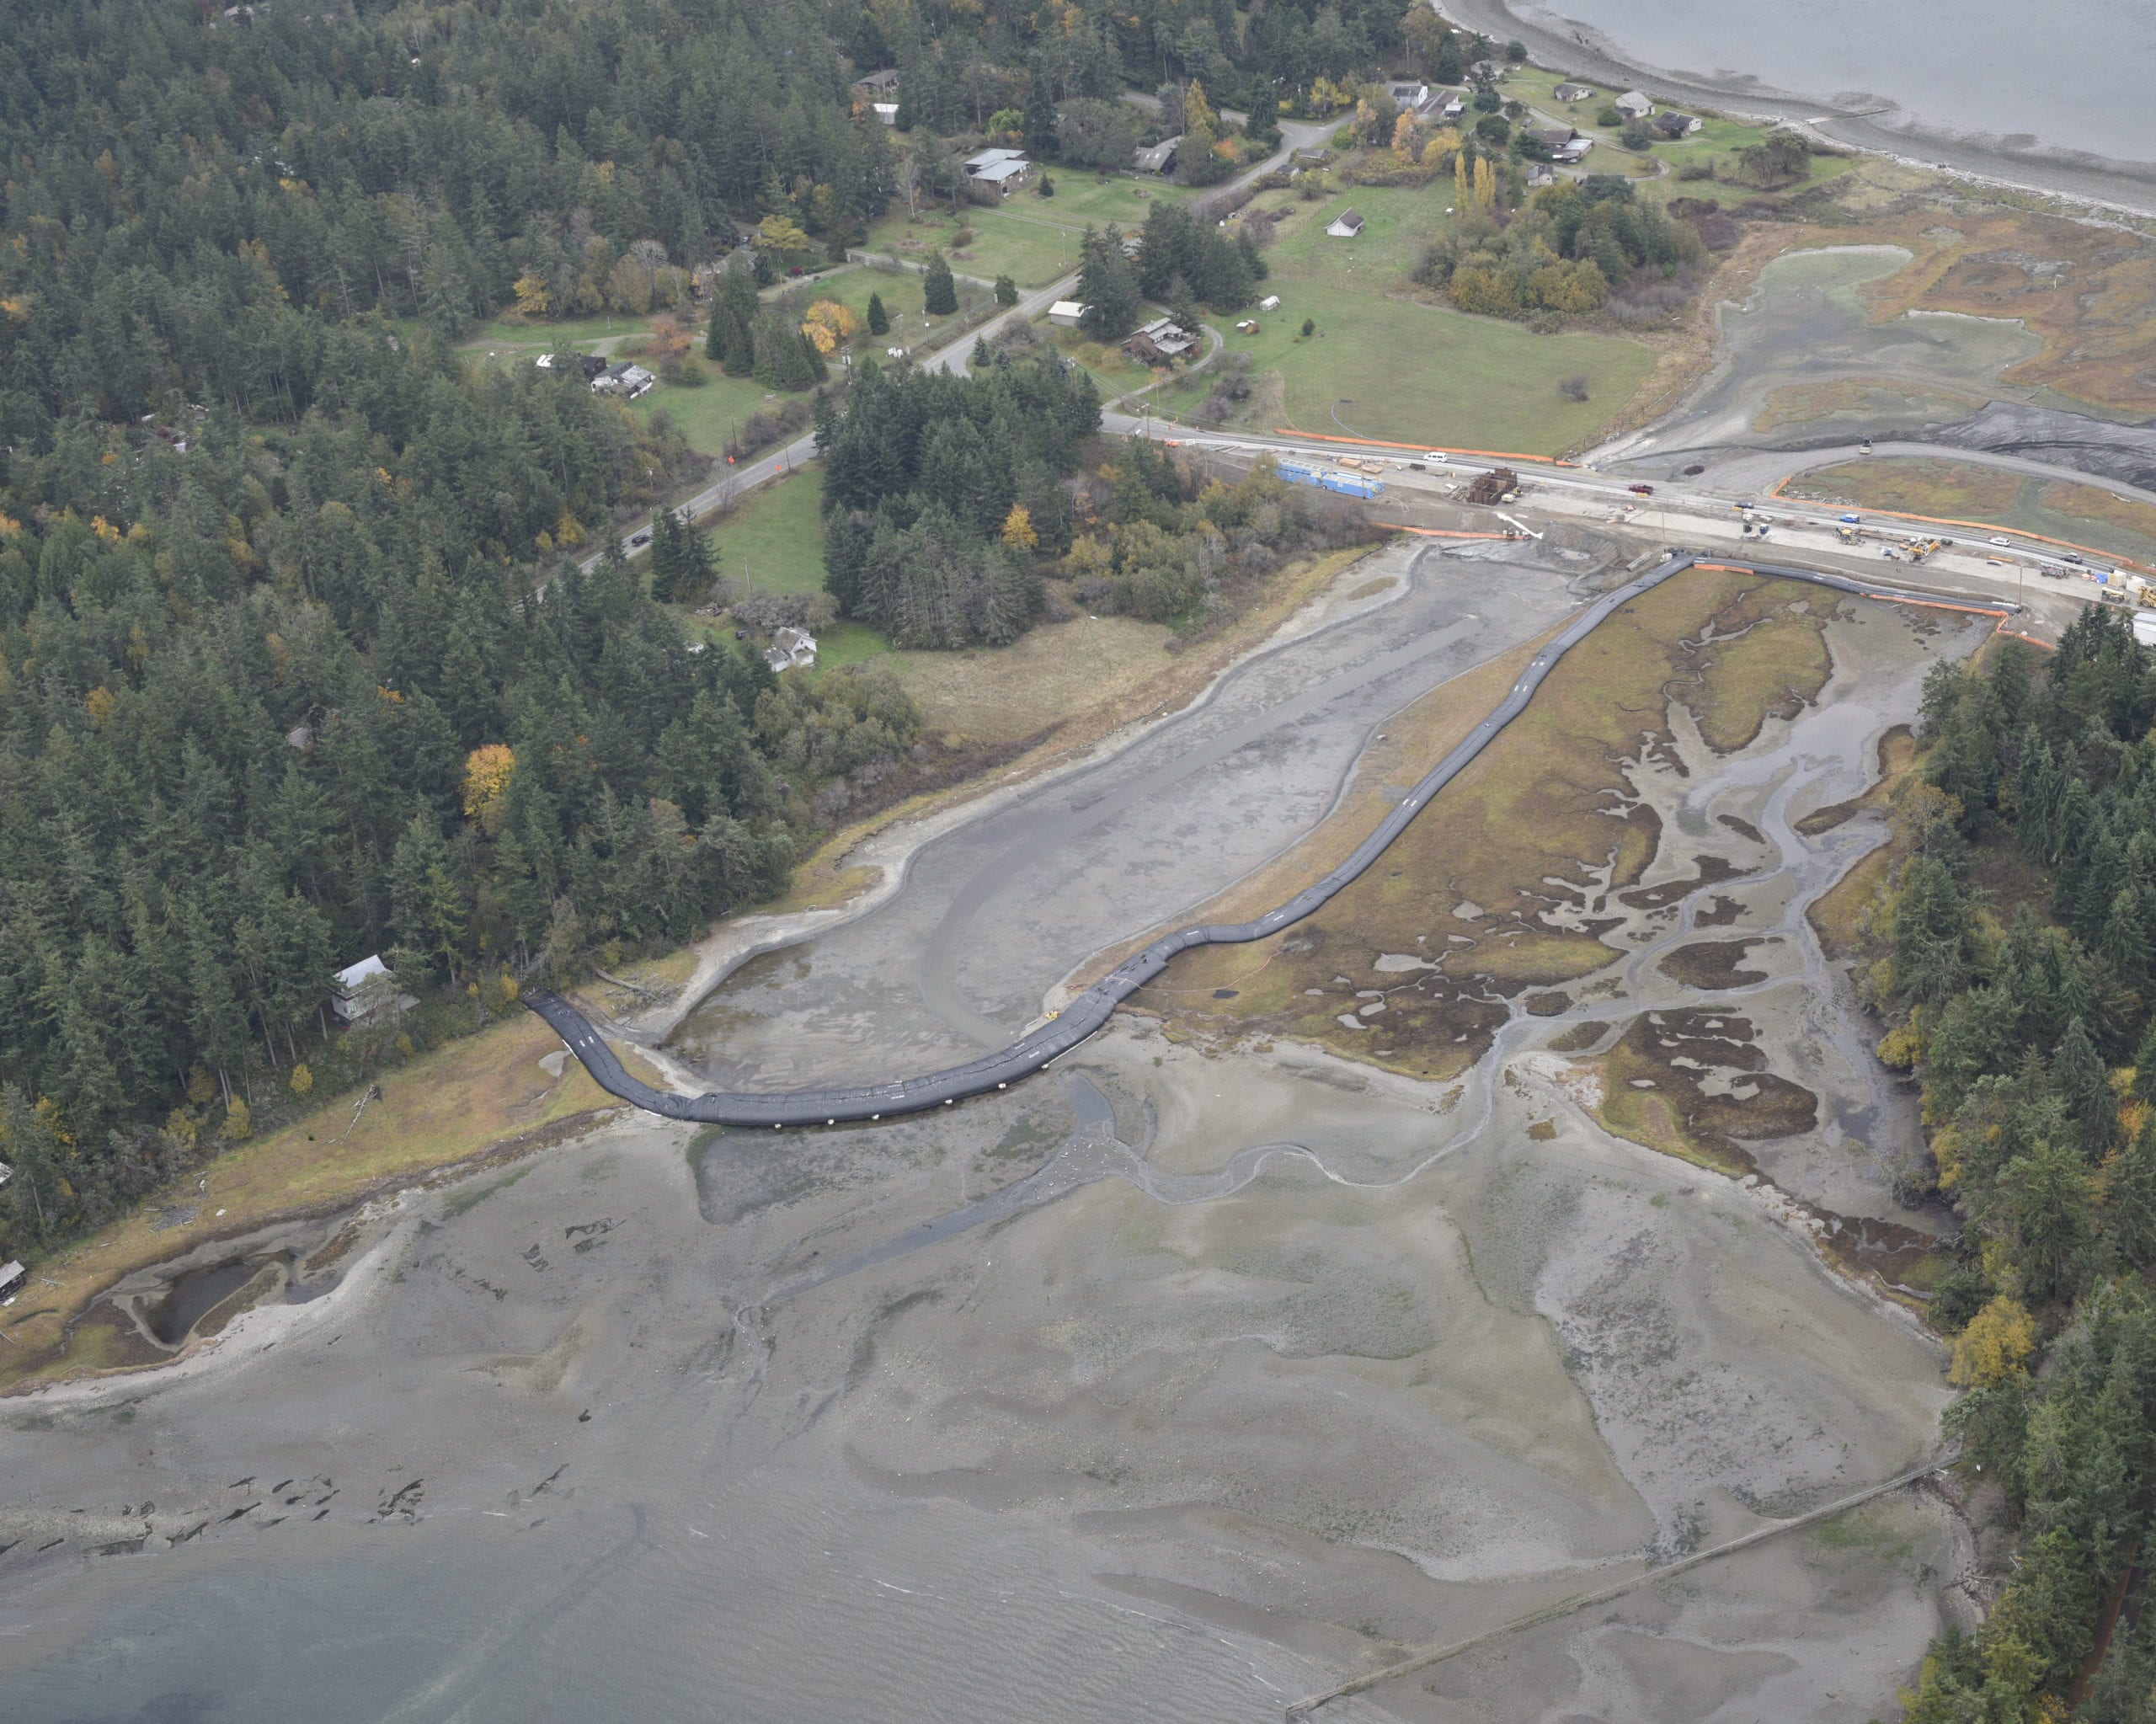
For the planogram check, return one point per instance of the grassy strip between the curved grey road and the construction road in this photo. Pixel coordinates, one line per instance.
(1965, 492)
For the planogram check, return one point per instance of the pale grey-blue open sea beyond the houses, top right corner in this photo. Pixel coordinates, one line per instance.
(2069, 74)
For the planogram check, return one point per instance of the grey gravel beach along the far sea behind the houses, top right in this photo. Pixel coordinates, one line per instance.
(2073, 176)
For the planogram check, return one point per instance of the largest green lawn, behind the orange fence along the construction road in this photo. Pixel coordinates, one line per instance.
(1398, 370)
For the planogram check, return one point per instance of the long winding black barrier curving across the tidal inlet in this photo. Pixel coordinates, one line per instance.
(1094, 1007)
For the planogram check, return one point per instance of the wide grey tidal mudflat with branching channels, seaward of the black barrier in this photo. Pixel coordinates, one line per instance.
(1174, 1385)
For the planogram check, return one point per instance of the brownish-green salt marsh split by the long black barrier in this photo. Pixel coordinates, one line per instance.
(1534, 807)
